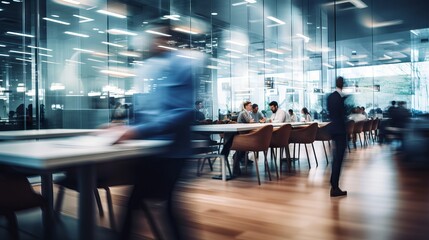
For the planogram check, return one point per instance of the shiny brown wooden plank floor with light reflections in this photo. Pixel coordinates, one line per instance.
(387, 199)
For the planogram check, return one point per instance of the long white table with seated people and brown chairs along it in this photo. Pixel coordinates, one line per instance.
(230, 130)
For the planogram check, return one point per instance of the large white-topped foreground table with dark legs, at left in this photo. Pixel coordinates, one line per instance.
(47, 156)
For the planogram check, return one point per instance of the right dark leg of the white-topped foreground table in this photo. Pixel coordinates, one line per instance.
(86, 184)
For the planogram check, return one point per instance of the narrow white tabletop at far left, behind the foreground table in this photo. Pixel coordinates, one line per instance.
(43, 133)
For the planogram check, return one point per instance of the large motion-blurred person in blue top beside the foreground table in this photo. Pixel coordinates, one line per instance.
(168, 115)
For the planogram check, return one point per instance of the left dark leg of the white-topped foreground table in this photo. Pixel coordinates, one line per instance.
(48, 212)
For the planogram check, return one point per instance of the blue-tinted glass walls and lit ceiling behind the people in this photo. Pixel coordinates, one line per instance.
(67, 63)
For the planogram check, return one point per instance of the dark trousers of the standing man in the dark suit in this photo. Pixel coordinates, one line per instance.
(339, 150)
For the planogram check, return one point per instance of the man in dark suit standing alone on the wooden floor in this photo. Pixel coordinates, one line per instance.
(338, 132)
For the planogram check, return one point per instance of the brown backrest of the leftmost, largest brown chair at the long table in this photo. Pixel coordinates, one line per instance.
(258, 140)
